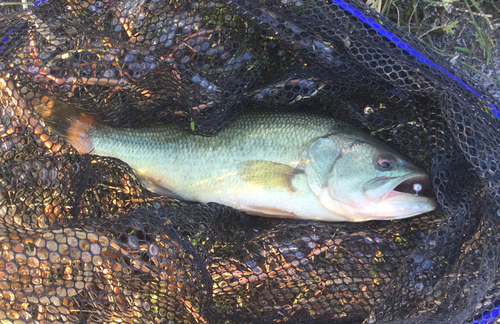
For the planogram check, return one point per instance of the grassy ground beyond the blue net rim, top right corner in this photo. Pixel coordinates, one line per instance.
(462, 30)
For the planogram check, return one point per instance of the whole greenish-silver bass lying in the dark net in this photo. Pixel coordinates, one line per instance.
(265, 163)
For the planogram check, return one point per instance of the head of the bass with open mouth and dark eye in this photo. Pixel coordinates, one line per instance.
(366, 180)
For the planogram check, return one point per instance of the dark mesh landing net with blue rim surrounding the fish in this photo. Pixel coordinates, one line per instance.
(82, 242)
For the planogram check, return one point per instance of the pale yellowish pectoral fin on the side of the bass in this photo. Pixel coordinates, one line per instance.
(268, 174)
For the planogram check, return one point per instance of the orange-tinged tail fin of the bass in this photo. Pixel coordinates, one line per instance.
(67, 122)
